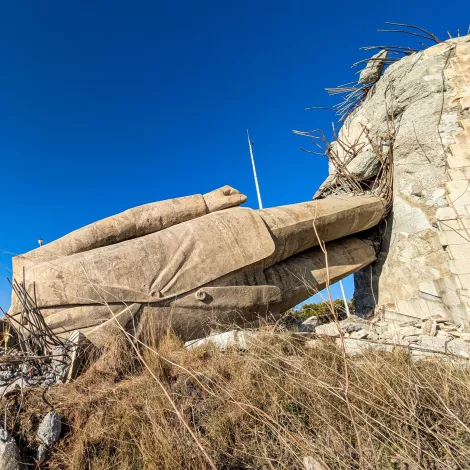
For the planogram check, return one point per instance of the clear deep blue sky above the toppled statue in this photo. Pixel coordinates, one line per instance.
(110, 104)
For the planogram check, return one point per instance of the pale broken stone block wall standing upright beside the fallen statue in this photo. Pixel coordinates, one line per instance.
(423, 268)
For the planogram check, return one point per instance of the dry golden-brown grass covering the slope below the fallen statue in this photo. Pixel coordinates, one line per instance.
(265, 408)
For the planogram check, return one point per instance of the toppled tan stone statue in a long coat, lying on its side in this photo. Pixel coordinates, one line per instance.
(195, 262)
